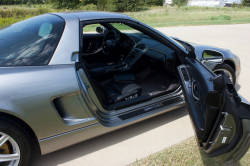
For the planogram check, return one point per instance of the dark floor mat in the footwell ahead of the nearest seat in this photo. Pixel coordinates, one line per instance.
(155, 81)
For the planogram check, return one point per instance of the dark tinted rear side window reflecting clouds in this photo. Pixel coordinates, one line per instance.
(31, 42)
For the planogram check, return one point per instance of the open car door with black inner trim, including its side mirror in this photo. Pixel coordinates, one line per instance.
(220, 117)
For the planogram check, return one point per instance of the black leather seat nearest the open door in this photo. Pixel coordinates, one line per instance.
(113, 92)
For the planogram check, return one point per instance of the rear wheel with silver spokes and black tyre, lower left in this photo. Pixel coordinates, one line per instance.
(14, 145)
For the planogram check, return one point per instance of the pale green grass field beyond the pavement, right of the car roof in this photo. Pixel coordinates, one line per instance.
(183, 16)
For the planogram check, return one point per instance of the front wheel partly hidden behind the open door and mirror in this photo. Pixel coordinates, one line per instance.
(227, 69)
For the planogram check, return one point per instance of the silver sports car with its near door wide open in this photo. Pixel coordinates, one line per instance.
(69, 77)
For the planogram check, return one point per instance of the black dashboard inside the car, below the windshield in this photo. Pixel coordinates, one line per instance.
(138, 47)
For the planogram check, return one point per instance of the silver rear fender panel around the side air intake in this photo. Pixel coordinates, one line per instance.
(27, 93)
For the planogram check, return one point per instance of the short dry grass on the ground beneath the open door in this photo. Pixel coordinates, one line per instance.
(184, 153)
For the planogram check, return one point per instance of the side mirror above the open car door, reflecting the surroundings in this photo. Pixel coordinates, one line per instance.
(212, 56)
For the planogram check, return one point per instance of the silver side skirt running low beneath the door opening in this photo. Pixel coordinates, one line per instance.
(66, 139)
